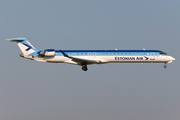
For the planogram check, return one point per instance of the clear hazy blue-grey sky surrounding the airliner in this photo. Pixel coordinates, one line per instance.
(31, 90)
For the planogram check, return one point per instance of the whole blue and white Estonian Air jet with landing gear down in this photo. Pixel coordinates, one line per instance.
(89, 57)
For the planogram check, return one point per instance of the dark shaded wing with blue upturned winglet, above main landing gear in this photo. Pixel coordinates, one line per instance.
(81, 61)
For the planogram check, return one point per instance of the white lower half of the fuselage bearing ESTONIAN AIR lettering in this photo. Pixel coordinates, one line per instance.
(108, 59)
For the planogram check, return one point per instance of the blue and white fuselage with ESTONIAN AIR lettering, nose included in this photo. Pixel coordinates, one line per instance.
(108, 57)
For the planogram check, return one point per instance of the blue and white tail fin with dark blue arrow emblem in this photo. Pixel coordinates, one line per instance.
(24, 45)
